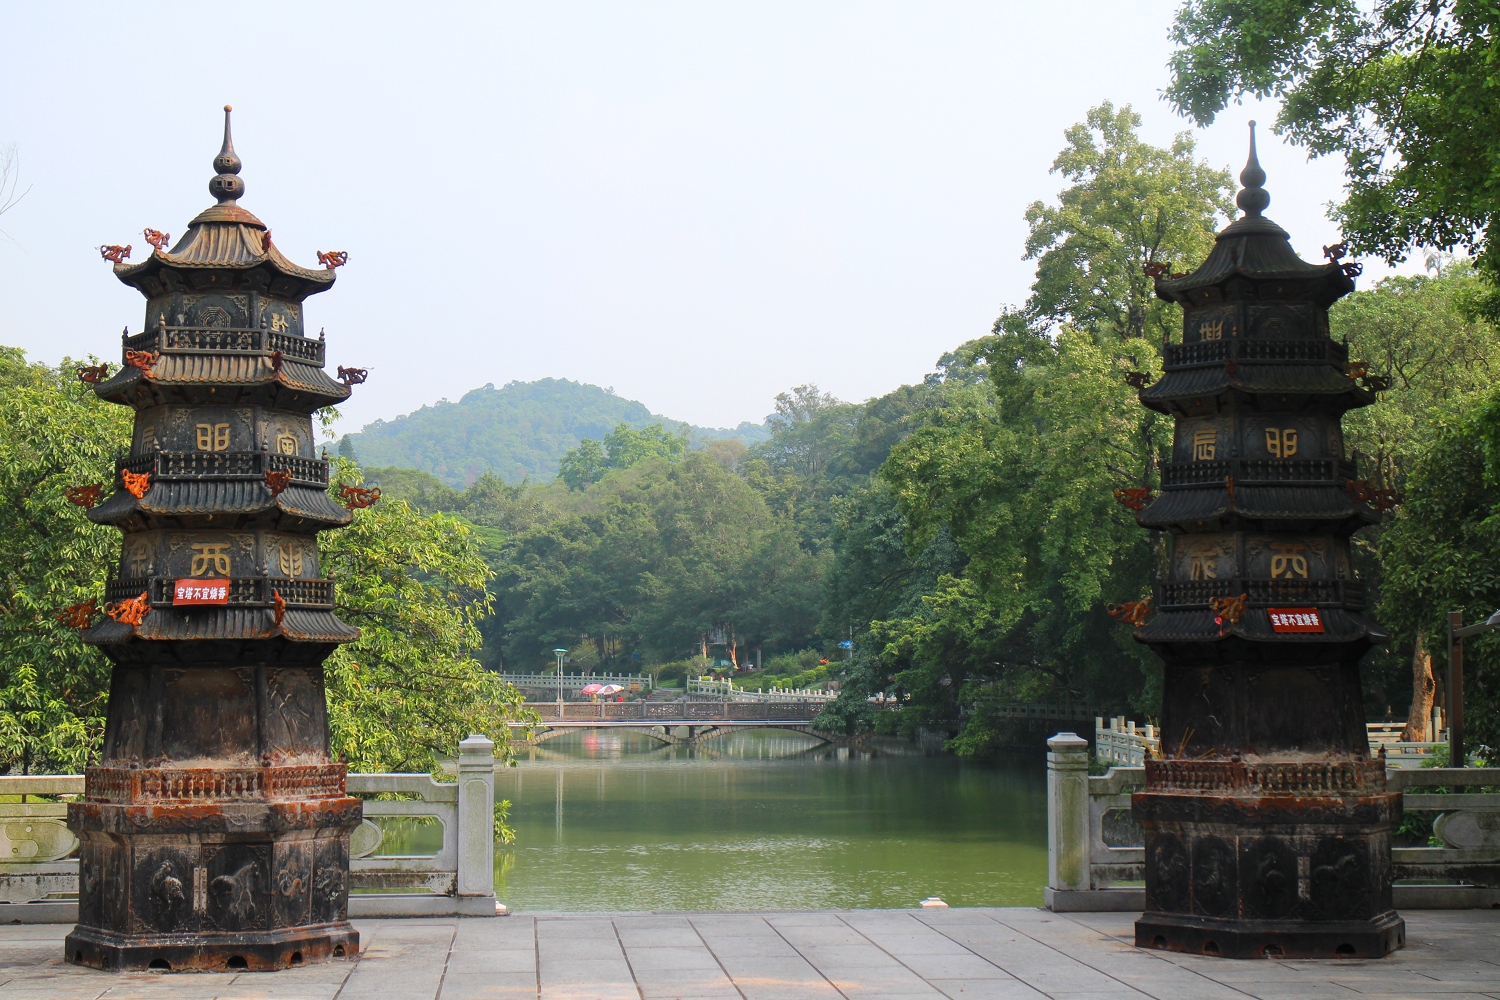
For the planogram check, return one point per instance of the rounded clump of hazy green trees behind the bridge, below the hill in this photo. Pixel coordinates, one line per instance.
(656, 555)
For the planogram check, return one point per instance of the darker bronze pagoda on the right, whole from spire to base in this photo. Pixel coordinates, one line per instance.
(1267, 822)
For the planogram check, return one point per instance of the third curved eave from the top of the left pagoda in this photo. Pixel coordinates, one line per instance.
(178, 500)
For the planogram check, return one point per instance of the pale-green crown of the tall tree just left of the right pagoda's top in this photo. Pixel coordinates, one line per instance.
(1129, 205)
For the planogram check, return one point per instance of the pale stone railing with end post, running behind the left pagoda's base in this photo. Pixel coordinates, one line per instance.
(40, 855)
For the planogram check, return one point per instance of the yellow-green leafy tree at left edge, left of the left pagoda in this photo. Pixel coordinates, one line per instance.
(55, 436)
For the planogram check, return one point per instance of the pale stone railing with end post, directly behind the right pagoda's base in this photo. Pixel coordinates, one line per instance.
(1094, 843)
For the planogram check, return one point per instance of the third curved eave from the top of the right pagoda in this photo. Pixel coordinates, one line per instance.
(1313, 507)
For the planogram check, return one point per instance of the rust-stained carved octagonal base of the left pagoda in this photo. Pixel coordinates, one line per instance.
(214, 869)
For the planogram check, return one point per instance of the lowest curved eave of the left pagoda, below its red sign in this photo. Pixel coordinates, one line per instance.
(166, 624)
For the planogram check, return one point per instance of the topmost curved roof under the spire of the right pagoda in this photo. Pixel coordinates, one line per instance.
(1256, 251)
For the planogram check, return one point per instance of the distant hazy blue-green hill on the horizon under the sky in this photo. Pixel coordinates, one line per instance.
(517, 433)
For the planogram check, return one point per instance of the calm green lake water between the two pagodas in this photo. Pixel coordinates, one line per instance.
(767, 821)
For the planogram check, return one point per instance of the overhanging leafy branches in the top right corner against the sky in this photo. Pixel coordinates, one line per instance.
(1403, 91)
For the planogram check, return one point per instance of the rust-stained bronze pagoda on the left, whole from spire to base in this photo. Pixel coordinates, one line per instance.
(215, 830)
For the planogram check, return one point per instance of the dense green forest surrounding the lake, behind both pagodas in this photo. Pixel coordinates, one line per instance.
(953, 545)
